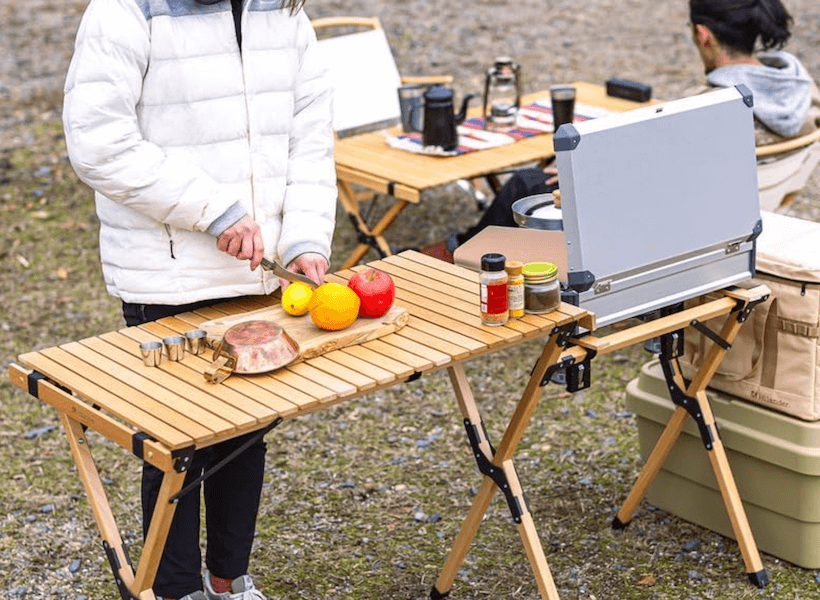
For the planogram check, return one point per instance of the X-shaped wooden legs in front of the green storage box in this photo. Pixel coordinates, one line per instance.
(694, 401)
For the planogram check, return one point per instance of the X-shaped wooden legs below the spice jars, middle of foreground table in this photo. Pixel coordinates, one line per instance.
(499, 472)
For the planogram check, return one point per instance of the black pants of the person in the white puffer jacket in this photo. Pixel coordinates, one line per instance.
(231, 500)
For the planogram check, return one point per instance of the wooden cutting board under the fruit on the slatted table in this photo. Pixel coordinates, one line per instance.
(312, 340)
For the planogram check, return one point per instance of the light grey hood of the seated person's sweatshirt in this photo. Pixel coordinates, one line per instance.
(781, 87)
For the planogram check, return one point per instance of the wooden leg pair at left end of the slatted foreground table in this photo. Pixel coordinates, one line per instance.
(131, 586)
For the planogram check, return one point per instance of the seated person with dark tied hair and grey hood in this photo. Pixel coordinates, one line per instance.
(725, 32)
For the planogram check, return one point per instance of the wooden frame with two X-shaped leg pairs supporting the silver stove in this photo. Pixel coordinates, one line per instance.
(564, 349)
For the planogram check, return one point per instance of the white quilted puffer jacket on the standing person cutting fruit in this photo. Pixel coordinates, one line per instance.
(173, 126)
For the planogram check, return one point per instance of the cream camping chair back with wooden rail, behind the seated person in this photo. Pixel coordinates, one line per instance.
(779, 179)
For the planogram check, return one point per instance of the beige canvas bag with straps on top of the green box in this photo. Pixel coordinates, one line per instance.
(775, 360)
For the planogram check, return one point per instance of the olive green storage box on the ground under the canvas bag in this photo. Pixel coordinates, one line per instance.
(775, 460)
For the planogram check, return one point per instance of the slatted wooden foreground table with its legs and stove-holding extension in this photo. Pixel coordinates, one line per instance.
(163, 414)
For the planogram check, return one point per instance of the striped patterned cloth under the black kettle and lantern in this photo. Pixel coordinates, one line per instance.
(532, 119)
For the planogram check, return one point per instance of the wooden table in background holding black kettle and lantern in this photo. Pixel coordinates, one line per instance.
(367, 160)
